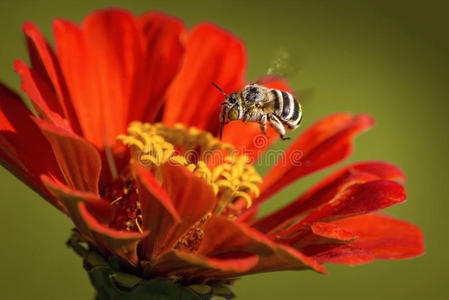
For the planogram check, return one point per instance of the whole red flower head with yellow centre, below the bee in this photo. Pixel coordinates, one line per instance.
(165, 203)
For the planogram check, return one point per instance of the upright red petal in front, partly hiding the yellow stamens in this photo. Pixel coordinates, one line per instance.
(192, 198)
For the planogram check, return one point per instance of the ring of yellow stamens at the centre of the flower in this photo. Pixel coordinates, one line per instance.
(230, 175)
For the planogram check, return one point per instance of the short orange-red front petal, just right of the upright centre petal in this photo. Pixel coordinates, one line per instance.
(222, 235)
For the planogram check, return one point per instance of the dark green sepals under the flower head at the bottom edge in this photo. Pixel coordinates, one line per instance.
(113, 284)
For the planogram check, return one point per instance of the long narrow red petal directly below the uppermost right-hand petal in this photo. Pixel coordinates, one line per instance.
(326, 190)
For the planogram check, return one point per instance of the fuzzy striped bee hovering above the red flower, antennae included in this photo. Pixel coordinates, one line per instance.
(256, 103)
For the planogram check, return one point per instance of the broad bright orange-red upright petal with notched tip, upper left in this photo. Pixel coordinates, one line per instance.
(101, 61)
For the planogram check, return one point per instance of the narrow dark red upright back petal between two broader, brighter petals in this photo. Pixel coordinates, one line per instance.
(163, 54)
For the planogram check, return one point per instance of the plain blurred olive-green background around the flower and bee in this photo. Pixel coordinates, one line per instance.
(389, 59)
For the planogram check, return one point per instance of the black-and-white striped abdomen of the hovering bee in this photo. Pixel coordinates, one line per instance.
(286, 108)
